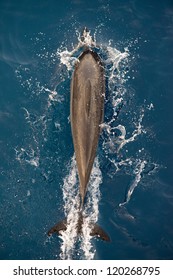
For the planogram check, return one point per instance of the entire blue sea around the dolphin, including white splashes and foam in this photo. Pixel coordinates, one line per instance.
(130, 193)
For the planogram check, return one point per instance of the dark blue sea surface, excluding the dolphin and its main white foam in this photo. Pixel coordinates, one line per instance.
(30, 192)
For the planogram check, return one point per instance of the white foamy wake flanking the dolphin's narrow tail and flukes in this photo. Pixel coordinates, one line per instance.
(71, 210)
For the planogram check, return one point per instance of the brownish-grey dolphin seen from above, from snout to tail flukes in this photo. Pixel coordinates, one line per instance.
(86, 114)
